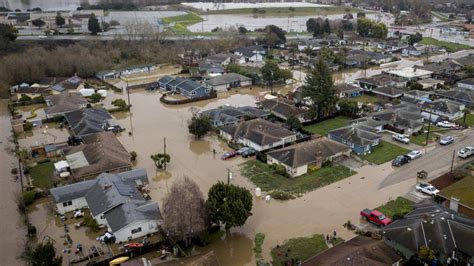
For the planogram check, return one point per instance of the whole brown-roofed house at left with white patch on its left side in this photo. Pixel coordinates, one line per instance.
(98, 153)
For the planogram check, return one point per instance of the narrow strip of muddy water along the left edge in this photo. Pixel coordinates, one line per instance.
(12, 230)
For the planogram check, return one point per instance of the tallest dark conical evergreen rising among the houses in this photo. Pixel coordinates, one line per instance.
(320, 89)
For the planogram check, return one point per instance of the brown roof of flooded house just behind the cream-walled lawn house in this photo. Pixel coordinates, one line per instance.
(258, 131)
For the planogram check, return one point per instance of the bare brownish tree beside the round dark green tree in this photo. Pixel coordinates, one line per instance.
(184, 211)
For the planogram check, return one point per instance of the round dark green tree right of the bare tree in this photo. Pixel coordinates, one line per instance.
(229, 204)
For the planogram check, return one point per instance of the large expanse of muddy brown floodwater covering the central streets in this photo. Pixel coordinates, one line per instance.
(321, 211)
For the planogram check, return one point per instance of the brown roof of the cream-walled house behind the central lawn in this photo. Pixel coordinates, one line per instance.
(306, 152)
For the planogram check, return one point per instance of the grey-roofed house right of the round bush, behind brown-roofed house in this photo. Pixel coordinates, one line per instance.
(229, 115)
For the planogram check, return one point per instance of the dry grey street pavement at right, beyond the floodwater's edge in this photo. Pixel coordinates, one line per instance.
(436, 161)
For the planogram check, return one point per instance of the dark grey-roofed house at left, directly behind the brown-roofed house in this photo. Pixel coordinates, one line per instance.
(89, 121)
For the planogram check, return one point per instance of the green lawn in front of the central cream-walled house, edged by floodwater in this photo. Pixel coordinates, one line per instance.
(264, 176)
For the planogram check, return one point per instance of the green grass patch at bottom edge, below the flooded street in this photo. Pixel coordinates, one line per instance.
(300, 249)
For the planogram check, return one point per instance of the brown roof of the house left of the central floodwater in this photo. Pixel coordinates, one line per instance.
(103, 152)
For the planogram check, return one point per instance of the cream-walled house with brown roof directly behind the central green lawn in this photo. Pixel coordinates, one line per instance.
(297, 159)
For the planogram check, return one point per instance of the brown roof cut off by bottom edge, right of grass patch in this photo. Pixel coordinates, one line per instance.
(360, 250)
